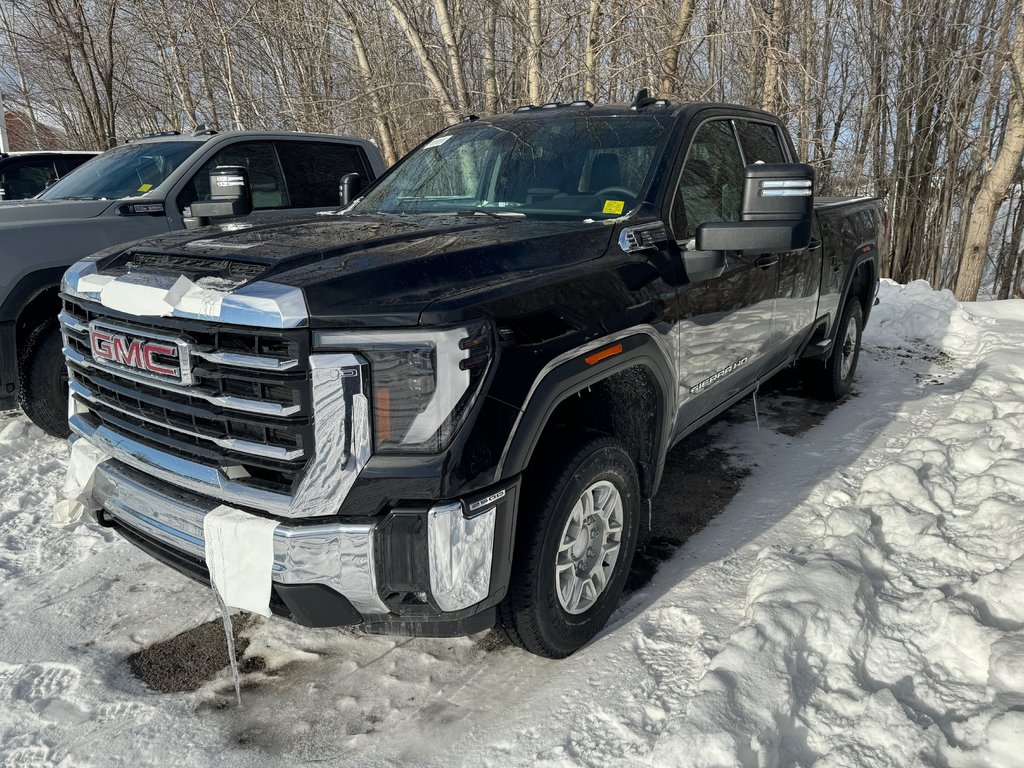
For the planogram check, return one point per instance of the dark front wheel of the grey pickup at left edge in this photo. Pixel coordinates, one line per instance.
(44, 393)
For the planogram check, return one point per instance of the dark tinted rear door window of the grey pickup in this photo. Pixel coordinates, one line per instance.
(314, 169)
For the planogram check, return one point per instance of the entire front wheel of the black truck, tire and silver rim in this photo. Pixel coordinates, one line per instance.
(575, 546)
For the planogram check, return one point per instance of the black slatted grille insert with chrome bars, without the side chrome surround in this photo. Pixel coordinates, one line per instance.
(246, 412)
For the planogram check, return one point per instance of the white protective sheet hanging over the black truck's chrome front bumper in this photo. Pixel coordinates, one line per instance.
(240, 557)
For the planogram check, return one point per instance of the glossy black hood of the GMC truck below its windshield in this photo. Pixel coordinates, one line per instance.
(369, 271)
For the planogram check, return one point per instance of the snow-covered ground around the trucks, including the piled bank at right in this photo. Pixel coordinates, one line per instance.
(860, 603)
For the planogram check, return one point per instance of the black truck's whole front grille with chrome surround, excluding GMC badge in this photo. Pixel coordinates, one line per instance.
(244, 428)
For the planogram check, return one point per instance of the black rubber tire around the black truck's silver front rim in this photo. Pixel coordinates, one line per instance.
(533, 615)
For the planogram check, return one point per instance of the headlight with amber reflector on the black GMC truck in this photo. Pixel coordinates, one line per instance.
(424, 382)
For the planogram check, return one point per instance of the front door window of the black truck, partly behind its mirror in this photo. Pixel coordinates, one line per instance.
(711, 186)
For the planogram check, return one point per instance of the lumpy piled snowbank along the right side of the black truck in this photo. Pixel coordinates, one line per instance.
(895, 637)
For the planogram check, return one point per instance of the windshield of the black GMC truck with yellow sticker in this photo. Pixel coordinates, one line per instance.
(554, 166)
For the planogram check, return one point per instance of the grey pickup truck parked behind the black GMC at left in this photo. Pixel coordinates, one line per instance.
(140, 190)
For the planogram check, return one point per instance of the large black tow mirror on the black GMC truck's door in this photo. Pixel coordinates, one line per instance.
(779, 200)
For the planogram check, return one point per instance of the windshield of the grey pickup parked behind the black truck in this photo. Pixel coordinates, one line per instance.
(127, 172)
